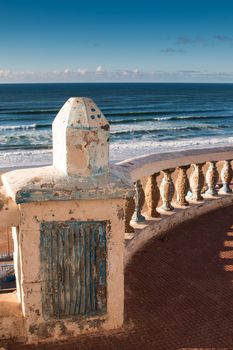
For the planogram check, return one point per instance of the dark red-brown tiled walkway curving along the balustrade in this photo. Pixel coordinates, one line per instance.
(179, 292)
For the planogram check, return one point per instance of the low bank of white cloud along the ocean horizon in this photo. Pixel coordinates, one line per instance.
(124, 75)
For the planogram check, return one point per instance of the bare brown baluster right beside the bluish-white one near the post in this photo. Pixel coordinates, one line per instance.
(152, 195)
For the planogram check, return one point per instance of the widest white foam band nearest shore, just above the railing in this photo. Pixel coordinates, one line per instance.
(118, 151)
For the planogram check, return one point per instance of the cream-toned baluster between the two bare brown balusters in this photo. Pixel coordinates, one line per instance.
(167, 190)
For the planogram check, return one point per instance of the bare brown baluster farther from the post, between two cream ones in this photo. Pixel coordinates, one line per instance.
(182, 186)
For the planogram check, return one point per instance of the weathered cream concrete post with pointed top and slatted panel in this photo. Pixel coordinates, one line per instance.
(70, 233)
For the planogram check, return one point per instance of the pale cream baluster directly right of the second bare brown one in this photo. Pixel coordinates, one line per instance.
(197, 181)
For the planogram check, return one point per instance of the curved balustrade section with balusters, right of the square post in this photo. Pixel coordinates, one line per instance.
(194, 195)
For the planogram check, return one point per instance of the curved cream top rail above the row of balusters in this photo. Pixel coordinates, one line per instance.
(147, 165)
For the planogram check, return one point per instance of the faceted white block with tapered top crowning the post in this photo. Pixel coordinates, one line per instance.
(81, 138)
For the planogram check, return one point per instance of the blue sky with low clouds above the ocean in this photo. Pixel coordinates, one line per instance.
(108, 41)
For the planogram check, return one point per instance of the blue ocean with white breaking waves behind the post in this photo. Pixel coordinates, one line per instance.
(144, 117)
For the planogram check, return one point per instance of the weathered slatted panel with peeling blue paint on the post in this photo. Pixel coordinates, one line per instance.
(73, 266)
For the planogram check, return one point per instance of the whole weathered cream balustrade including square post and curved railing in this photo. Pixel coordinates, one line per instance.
(77, 223)
